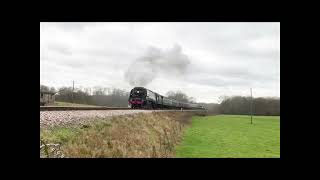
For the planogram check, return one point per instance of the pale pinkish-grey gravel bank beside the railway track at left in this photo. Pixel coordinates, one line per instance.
(53, 118)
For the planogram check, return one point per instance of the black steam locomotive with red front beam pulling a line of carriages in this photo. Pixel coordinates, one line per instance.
(142, 98)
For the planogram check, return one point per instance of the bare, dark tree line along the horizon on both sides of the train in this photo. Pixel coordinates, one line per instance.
(119, 98)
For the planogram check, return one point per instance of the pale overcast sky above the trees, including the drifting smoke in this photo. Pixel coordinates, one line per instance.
(204, 60)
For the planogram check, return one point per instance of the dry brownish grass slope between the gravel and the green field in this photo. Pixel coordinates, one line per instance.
(137, 136)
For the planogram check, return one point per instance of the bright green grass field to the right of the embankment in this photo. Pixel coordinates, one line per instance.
(233, 136)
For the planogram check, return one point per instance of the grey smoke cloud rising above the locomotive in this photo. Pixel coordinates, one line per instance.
(155, 61)
